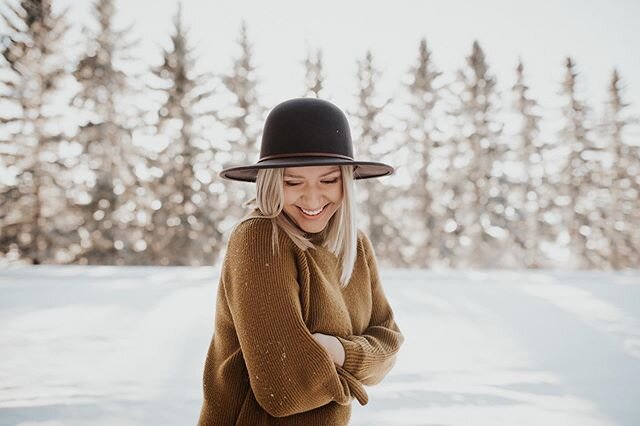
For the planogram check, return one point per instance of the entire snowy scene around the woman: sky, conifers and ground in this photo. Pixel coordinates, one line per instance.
(508, 239)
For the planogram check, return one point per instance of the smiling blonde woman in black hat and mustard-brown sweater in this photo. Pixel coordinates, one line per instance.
(302, 322)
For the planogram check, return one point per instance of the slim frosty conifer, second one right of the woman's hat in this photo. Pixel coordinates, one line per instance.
(422, 138)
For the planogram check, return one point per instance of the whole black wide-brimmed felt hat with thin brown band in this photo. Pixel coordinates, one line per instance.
(306, 132)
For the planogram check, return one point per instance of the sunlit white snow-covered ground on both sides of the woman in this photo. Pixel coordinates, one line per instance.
(126, 346)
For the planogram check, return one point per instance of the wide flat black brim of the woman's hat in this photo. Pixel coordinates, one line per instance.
(363, 169)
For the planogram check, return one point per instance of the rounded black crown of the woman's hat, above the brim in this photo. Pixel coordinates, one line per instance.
(306, 126)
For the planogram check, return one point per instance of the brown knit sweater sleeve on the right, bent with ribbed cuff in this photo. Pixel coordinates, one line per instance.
(370, 356)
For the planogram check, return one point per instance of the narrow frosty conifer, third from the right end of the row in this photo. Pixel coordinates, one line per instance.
(531, 195)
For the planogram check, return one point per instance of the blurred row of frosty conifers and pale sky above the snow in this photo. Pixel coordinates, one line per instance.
(513, 126)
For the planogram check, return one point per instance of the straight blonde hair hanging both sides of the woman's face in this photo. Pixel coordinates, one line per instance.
(341, 232)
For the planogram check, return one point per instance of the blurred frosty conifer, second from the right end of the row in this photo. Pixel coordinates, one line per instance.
(581, 194)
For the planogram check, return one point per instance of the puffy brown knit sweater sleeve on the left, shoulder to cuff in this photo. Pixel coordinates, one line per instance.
(289, 372)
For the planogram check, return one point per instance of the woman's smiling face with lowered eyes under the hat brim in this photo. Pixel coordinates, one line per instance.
(312, 195)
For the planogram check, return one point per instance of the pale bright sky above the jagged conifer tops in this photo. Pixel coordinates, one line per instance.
(598, 34)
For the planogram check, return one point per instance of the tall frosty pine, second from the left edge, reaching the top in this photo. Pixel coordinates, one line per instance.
(107, 197)
